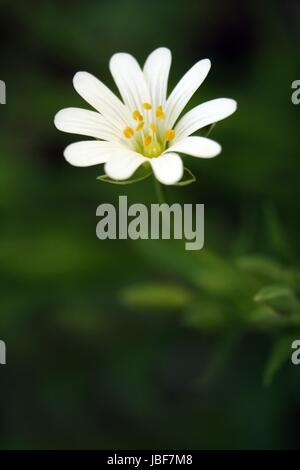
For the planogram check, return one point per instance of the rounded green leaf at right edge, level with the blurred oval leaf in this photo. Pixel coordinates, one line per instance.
(281, 298)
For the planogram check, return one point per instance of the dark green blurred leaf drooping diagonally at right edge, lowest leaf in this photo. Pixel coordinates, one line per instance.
(280, 352)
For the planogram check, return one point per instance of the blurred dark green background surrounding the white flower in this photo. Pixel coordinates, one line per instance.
(131, 345)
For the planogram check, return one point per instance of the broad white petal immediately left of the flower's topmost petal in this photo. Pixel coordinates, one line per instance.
(130, 80)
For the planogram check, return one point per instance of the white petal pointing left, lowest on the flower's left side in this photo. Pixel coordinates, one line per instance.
(90, 152)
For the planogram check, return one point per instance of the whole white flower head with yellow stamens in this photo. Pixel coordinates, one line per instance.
(144, 127)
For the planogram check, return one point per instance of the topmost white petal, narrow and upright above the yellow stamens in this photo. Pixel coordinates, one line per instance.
(156, 70)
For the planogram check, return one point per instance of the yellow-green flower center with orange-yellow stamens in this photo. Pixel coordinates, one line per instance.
(149, 136)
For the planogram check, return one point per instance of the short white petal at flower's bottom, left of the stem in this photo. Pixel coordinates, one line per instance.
(123, 164)
